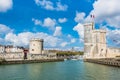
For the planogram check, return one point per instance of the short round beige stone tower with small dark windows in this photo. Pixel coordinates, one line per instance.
(36, 46)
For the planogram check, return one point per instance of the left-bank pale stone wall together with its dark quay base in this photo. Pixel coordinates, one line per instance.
(18, 58)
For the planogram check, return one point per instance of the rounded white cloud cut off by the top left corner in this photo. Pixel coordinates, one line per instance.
(5, 5)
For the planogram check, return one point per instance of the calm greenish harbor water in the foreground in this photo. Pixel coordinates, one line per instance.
(66, 70)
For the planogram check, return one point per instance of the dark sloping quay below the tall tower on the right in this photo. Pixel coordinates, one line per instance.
(106, 61)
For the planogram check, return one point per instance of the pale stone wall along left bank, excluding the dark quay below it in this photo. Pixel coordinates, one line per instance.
(20, 56)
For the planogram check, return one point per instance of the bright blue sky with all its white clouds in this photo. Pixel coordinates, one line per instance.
(58, 22)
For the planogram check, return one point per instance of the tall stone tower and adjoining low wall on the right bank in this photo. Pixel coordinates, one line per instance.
(95, 43)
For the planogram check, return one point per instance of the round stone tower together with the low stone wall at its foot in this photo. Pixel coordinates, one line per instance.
(36, 50)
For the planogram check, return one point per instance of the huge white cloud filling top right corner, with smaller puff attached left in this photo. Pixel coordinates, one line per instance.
(104, 12)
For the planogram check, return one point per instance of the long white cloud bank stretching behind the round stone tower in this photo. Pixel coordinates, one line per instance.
(22, 39)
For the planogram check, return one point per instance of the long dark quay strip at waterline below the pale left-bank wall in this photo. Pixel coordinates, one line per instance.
(29, 61)
